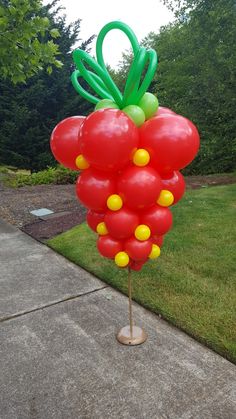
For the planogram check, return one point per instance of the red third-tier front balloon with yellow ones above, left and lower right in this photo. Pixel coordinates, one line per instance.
(121, 224)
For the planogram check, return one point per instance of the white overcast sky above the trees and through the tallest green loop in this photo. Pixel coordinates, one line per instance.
(142, 16)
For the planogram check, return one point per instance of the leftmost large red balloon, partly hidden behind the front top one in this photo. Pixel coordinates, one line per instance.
(64, 141)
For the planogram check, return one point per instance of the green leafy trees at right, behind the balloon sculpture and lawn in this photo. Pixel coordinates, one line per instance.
(196, 76)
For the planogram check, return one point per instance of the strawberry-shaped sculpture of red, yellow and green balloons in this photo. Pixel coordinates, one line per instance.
(129, 152)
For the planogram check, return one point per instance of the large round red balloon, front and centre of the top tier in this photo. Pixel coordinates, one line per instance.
(108, 138)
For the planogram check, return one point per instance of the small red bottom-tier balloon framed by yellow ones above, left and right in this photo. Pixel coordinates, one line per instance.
(138, 250)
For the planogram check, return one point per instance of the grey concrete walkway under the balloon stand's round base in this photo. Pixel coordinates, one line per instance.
(60, 359)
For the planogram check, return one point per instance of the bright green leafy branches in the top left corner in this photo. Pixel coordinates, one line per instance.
(27, 40)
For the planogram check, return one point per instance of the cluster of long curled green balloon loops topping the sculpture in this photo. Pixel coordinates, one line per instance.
(100, 80)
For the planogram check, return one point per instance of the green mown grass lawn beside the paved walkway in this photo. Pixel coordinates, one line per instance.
(193, 283)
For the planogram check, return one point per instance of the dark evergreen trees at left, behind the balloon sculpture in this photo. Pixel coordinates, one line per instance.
(28, 113)
